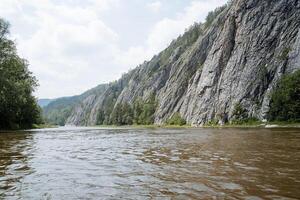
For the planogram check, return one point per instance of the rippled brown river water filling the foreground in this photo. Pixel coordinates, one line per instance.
(150, 164)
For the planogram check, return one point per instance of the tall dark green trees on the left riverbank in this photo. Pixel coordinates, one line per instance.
(18, 107)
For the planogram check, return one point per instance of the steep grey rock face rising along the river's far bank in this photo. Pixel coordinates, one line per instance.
(237, 59)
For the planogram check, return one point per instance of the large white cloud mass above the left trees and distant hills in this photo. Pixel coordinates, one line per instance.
(64, 45)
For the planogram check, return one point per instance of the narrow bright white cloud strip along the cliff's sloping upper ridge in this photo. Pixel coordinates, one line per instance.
(167, 29)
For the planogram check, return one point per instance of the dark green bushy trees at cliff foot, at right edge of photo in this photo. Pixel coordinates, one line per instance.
(285, 100)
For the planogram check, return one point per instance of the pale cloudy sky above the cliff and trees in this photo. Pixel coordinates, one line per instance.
(74, 45)
